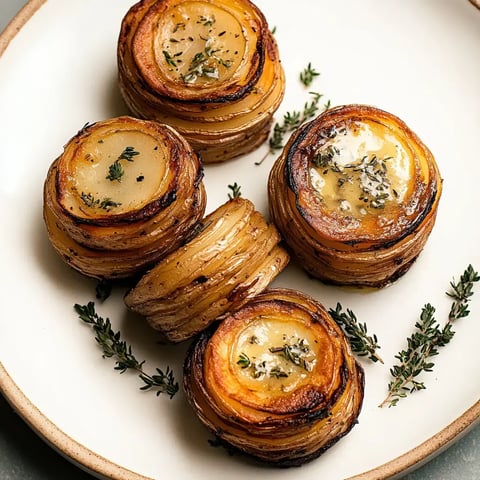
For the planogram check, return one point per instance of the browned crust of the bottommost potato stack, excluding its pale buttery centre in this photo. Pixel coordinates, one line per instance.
(283, 429)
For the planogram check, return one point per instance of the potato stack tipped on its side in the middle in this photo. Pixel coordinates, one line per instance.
(233, 257)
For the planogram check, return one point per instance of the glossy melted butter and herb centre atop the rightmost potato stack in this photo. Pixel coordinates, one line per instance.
(362, 168)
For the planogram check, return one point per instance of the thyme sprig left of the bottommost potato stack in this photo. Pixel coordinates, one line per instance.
(114, 347)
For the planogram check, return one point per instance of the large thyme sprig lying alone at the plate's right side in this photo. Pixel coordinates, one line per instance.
(429, 336)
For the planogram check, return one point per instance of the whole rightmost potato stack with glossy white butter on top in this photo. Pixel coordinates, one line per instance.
(355, 194)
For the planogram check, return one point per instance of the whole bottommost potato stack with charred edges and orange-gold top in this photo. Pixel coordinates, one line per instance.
(275, 380)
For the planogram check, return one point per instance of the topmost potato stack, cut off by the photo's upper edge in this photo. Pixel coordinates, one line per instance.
(210, 69)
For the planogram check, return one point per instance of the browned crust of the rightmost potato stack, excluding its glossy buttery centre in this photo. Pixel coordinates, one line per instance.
(329, 246)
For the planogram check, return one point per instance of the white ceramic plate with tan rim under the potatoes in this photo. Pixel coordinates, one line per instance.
(417, 59)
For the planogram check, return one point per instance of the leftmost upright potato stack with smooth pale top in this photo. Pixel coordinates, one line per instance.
(123, 194)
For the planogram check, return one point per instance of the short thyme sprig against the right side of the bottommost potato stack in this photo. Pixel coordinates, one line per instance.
(362, 344)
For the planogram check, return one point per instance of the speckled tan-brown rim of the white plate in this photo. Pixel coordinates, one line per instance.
(104, 468)
